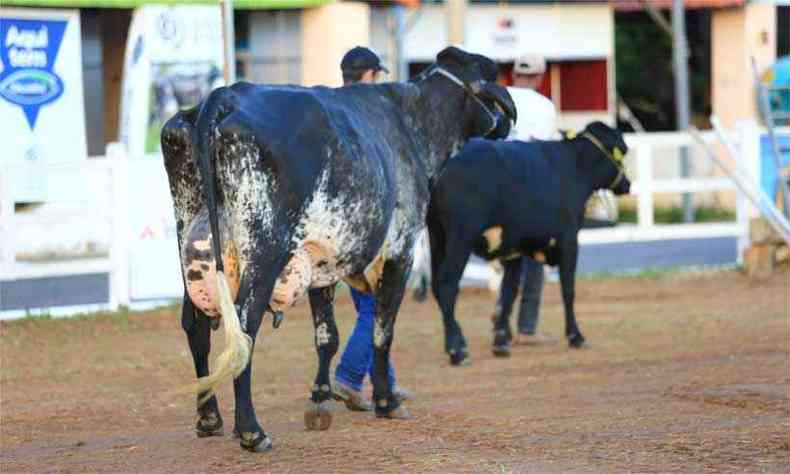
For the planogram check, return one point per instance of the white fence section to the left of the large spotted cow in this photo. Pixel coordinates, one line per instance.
(122, 205)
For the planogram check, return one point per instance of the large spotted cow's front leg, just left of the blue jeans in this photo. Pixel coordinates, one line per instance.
(317, 415)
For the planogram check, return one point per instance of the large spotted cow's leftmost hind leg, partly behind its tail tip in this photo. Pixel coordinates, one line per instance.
(197, 326)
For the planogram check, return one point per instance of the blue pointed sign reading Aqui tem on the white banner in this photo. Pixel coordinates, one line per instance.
(28, 50)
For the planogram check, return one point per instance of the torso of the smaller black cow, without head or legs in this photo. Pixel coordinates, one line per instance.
(515, 188)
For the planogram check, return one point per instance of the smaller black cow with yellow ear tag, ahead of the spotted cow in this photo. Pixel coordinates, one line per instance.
(517, 198)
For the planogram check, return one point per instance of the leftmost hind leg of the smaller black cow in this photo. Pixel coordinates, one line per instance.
(445, 288)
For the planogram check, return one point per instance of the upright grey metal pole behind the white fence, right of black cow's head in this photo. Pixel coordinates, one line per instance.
(680, 54)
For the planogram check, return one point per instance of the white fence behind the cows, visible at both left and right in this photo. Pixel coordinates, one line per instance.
(131, 196)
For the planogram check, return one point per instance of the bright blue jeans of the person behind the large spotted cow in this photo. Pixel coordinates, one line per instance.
(357, 358)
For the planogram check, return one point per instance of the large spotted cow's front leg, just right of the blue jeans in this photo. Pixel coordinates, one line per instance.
(389, 296)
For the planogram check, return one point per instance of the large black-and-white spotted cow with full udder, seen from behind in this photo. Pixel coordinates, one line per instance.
(303, 187)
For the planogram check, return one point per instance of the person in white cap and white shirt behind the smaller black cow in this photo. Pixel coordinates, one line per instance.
(537, 118)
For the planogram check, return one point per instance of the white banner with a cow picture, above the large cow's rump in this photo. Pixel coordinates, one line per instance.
(173, 60)
